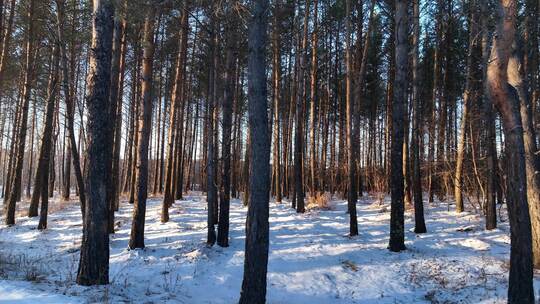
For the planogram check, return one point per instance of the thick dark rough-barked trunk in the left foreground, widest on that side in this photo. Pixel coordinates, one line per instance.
(94, 262)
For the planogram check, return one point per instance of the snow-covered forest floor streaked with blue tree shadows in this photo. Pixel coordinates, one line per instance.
(312, 260)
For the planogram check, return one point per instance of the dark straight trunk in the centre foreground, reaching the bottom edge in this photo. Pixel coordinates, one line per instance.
(257, 226)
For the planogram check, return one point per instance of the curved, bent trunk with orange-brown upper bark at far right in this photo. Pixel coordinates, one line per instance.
(520, 289)
